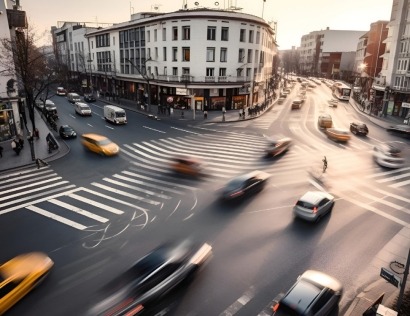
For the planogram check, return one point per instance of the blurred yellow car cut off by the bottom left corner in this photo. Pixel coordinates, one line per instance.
(20, 275)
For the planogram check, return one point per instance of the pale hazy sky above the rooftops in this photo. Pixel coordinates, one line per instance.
(294, 18)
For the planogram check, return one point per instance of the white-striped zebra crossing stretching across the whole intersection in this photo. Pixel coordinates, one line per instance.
(142, 191)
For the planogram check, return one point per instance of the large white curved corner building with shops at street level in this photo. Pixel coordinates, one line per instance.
(202, 58)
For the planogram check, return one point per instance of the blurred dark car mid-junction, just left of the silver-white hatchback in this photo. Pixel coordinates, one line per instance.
(245, 185)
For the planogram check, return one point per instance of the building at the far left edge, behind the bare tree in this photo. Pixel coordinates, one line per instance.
(11, 105)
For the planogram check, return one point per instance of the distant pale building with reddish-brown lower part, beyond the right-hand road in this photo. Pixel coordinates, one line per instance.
(328, 53)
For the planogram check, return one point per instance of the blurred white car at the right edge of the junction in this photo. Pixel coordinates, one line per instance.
(389, 154)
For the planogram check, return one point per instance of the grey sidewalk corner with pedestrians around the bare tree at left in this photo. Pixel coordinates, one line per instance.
(11, 160)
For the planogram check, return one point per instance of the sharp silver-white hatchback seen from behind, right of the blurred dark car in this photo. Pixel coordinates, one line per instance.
(313, 205)
